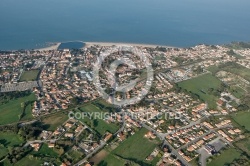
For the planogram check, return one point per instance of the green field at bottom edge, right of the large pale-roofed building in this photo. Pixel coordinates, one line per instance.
(226, 157)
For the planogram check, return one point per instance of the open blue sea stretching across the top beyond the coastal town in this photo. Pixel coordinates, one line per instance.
(26, 24)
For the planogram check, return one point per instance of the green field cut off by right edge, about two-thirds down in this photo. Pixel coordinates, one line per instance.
(242, 118)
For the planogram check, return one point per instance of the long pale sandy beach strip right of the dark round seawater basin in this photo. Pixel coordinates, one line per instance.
(89, 44)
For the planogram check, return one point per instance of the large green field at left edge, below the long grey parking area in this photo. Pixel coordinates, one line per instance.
(11, 111)
